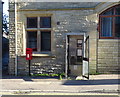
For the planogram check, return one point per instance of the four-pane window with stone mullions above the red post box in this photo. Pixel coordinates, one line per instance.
(39, 33)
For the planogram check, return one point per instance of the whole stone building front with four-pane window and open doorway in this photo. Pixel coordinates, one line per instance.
(67, 27)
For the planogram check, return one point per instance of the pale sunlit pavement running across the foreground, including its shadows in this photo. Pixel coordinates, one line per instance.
(107, 84)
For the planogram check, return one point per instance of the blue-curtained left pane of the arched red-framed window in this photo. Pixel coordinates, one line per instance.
(106, 27)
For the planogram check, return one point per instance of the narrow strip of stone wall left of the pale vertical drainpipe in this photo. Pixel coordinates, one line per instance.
(11, 38)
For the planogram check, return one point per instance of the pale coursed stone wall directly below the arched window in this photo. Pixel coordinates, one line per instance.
(108, 56)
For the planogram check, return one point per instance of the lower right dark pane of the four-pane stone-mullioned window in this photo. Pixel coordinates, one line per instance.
(45, 41)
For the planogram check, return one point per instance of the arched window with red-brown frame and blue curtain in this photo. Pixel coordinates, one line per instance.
(110, 23)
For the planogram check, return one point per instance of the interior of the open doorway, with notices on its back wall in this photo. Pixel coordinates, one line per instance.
(75, 55)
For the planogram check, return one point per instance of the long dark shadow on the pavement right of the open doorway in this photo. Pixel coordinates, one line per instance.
(92, 82)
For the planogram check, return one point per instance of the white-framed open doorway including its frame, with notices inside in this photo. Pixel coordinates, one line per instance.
(75, 55)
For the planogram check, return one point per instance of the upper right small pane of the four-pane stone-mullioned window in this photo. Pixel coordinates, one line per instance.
(45, 22)
